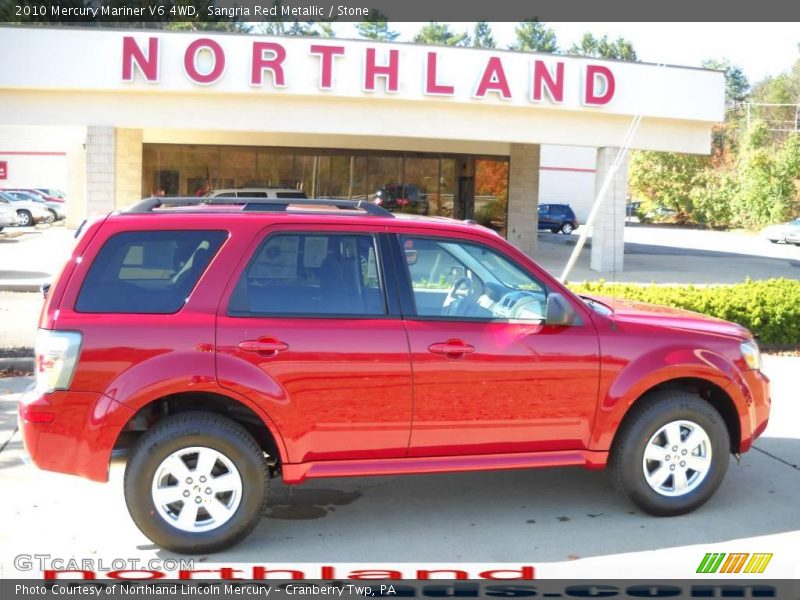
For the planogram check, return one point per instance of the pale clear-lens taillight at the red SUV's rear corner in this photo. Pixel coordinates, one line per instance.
(56, 359)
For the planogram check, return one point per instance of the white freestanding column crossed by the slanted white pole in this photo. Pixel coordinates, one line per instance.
(608, 243)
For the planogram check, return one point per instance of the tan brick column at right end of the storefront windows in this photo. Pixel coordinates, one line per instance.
(523, 197)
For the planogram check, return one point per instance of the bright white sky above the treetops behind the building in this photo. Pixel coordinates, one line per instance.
(761, 49)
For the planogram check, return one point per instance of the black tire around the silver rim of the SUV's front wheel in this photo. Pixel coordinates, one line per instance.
(627, 457)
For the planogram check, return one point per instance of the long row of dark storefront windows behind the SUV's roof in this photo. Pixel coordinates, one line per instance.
(406, 182)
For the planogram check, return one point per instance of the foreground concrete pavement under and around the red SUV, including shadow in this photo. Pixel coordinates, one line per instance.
(564, 522)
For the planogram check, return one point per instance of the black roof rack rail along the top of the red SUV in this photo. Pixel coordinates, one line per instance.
(256, 204)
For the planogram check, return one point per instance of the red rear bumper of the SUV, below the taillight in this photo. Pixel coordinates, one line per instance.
(71, 432)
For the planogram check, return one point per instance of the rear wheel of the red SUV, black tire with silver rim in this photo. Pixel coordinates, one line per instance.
(196, 482)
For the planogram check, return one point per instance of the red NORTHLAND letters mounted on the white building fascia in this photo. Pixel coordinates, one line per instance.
(205, 60)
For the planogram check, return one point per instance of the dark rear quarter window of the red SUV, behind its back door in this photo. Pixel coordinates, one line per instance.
(147, 272)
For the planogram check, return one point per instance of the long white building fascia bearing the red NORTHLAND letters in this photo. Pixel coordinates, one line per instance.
(66, 59)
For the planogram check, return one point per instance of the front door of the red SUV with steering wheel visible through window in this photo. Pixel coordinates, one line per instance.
(489, 376)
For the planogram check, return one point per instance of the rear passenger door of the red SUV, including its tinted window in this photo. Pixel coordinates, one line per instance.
(310, 334)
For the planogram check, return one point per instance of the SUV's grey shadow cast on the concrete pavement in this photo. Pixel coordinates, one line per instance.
(511, 516)
